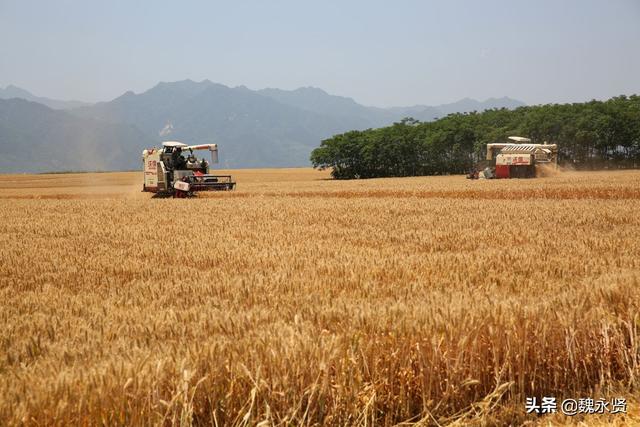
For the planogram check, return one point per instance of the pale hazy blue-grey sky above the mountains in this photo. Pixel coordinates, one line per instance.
(380, 53)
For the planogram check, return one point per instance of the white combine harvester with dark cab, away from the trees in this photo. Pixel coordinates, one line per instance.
(169, 174)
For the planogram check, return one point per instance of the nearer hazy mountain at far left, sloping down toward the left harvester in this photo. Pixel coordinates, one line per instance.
(36, 138)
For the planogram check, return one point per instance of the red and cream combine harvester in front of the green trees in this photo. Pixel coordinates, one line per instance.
(517, 159)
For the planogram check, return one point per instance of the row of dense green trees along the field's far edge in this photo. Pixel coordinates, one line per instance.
(591, 135)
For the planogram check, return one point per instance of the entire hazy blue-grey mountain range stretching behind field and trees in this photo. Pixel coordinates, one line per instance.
(253, 128)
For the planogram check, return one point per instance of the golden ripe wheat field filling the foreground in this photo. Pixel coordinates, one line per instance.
(299, 300)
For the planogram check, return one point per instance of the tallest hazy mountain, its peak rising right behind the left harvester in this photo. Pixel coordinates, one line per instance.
(252, 130)
